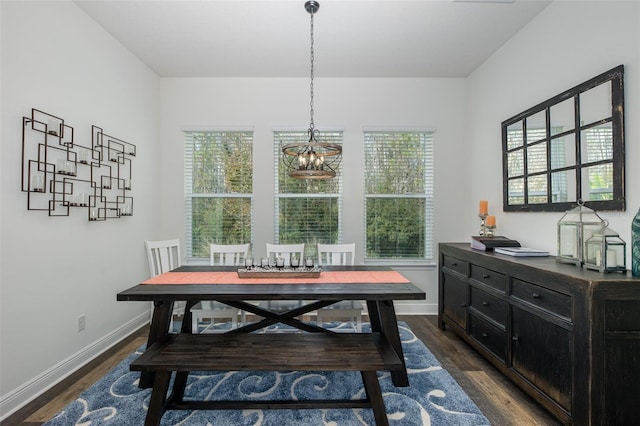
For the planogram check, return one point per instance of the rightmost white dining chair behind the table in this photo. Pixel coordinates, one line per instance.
(339, 254)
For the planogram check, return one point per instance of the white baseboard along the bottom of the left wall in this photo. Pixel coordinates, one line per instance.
(19, 397)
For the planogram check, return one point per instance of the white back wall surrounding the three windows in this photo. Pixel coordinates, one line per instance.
(348, 104)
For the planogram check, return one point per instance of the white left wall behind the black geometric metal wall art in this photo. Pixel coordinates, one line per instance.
(53, 269)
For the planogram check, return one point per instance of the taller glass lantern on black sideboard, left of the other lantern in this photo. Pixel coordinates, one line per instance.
(574, 228)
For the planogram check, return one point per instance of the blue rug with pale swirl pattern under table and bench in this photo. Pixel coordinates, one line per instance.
(434, 398)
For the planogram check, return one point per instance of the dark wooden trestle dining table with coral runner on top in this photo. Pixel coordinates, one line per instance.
(378, 286)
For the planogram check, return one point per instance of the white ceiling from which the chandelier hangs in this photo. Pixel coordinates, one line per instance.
(353, 38)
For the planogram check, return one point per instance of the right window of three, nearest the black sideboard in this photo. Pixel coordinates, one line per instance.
(398, 199)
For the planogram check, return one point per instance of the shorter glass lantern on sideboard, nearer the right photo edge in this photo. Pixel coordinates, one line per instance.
(605, 251)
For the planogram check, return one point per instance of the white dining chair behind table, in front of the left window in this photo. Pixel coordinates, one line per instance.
(223, 255)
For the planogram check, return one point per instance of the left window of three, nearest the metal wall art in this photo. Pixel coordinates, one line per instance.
(218, 190)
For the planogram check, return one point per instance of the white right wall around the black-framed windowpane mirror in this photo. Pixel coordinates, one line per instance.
(567, 44)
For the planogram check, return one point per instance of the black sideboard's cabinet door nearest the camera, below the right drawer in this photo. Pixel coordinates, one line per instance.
(541, 353)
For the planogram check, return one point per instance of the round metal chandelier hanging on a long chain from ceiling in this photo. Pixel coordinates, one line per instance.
(312, 159)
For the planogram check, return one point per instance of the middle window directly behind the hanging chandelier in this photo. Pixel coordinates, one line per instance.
(306, 210)
